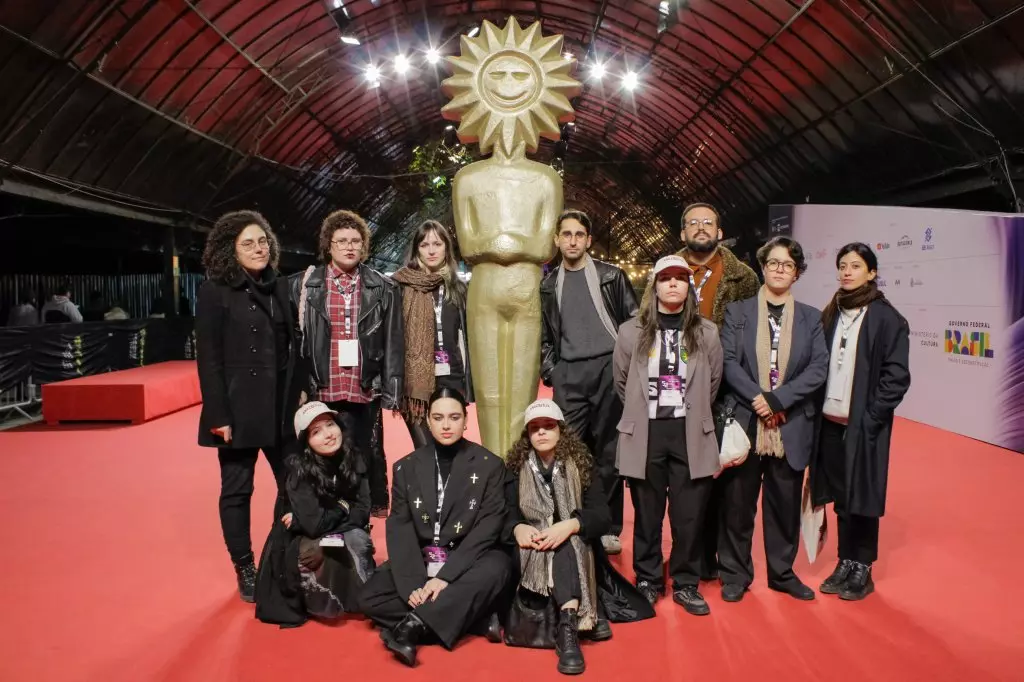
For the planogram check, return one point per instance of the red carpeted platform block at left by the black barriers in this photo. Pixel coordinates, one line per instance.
(133, 396)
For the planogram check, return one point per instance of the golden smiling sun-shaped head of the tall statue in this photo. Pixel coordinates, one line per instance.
(511, 87)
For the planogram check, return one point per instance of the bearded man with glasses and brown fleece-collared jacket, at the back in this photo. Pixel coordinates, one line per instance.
(719, 279)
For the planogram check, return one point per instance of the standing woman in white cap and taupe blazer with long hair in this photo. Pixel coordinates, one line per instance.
(668, 371)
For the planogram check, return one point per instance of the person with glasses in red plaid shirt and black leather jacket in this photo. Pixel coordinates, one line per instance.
(353, 338)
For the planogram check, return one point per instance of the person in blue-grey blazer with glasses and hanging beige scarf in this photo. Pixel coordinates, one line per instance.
(776, 360)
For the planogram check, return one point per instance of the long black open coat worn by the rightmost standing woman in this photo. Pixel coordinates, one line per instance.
(881, 379)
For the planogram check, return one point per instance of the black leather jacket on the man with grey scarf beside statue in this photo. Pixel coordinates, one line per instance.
(620, 303)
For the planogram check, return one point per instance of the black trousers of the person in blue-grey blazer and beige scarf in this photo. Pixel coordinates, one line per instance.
(781, 520)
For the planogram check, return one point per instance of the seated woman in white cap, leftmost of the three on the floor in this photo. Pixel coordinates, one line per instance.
(319, 555)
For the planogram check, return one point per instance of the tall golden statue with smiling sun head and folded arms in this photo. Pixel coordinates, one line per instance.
(511, 87)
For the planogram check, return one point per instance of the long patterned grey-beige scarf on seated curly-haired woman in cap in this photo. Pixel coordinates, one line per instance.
(538, 508)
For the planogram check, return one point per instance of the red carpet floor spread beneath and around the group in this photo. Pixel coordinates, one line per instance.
(114, 570)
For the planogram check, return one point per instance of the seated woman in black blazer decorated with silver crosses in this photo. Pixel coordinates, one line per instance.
(447, 566)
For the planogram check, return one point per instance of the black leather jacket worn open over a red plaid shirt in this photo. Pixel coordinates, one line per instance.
(382, 339)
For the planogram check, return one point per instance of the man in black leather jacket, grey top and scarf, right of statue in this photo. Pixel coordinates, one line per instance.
(583, 304)
